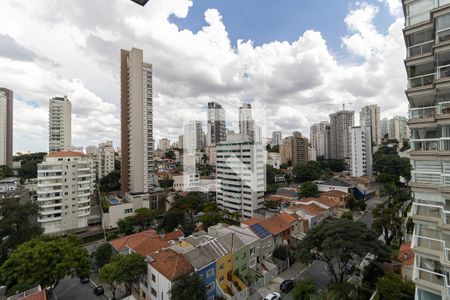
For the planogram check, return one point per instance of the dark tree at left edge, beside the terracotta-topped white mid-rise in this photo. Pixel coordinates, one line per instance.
(16, 225)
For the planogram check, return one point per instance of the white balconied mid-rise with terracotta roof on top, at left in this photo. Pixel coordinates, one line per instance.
(65, 186)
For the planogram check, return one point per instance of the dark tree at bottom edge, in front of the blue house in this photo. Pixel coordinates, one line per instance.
(188, 287)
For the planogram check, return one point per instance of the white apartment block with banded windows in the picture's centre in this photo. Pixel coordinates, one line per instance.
(240, 174)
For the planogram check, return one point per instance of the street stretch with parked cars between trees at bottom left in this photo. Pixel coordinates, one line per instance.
(71, 289)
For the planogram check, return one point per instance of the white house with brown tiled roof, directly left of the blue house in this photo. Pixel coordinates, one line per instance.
(163, 269)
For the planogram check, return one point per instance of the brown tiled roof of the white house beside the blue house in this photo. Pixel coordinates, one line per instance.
(170, 264)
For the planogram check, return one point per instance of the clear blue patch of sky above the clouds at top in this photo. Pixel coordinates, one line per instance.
(264, 21)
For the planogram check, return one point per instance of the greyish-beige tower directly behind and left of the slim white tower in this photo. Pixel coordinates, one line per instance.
(340, 122)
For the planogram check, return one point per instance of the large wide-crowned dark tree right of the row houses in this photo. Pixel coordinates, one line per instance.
(337, 243)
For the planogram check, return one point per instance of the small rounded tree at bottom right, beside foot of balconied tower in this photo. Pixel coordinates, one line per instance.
(391, 286)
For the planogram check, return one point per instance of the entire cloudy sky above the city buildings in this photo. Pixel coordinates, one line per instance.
(296, 60)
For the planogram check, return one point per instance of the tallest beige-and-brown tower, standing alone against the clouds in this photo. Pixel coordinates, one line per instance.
(137, 171)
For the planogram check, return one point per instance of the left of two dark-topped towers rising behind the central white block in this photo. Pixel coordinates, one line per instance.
(216, 130)
